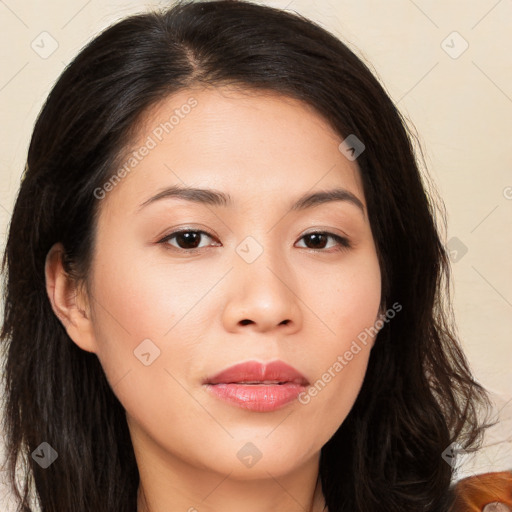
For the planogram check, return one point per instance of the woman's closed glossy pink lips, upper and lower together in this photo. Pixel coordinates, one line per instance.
(232, 385)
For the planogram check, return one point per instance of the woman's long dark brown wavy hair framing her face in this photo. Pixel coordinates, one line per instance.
(418, 394)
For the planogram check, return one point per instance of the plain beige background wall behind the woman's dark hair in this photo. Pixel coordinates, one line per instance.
(459, 100)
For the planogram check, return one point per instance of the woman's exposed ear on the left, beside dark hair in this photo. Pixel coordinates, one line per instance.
(70, 305)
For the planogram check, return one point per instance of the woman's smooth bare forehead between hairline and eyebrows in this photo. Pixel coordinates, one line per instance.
(255, 144)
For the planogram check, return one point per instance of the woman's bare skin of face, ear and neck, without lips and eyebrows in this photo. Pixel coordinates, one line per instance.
(265, 150)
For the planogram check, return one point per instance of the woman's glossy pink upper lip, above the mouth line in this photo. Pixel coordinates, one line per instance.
(254, 371)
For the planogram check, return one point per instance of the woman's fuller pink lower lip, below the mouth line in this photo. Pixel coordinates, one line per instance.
(257, 397)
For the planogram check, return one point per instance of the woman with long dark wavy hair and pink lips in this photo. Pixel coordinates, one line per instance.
(224, 278)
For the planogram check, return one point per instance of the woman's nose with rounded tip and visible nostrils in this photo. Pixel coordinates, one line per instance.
(262, 295)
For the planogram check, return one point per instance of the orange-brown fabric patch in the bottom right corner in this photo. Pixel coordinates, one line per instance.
(472, 494)
